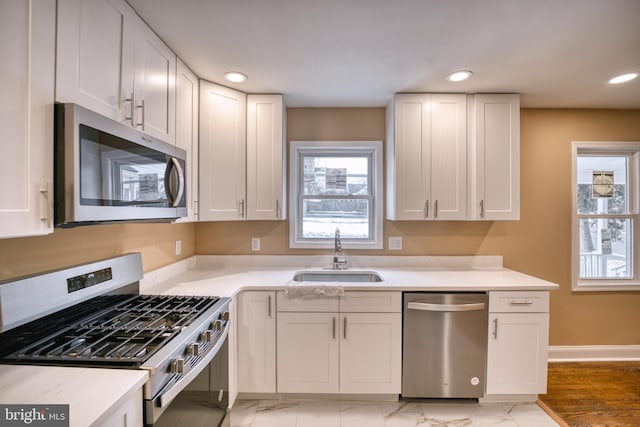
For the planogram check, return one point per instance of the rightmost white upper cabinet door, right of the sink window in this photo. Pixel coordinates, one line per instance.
(495, 157)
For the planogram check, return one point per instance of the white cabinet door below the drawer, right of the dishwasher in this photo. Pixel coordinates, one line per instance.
(517, 353)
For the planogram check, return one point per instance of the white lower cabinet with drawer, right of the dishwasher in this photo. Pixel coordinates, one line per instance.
(517, 353)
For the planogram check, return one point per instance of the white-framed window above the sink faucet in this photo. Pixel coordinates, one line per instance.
(336, 185)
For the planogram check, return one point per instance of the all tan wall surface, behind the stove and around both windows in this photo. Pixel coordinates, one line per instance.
(538, 244)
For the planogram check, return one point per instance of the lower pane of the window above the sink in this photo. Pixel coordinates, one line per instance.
(321, 218)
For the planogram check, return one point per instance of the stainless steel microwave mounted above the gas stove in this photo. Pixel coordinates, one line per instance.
(106, 171)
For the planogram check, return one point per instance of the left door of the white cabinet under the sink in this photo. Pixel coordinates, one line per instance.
(308, 352)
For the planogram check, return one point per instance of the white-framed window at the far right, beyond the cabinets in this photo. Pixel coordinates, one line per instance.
(606, 255)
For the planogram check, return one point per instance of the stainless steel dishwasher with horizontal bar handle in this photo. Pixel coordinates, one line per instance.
(444, 345)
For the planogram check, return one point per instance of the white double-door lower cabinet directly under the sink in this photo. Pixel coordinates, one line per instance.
(337, 352)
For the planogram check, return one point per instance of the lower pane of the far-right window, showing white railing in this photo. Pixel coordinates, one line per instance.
(605, 248)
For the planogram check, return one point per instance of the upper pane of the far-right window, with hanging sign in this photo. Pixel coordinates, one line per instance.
(595, 193)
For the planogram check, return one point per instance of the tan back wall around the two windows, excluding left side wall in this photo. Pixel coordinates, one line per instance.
(539, 244)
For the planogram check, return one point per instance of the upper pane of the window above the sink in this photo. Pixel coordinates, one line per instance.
(336, 175)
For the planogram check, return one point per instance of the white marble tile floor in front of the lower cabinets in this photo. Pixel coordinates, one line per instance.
(308, 413)
